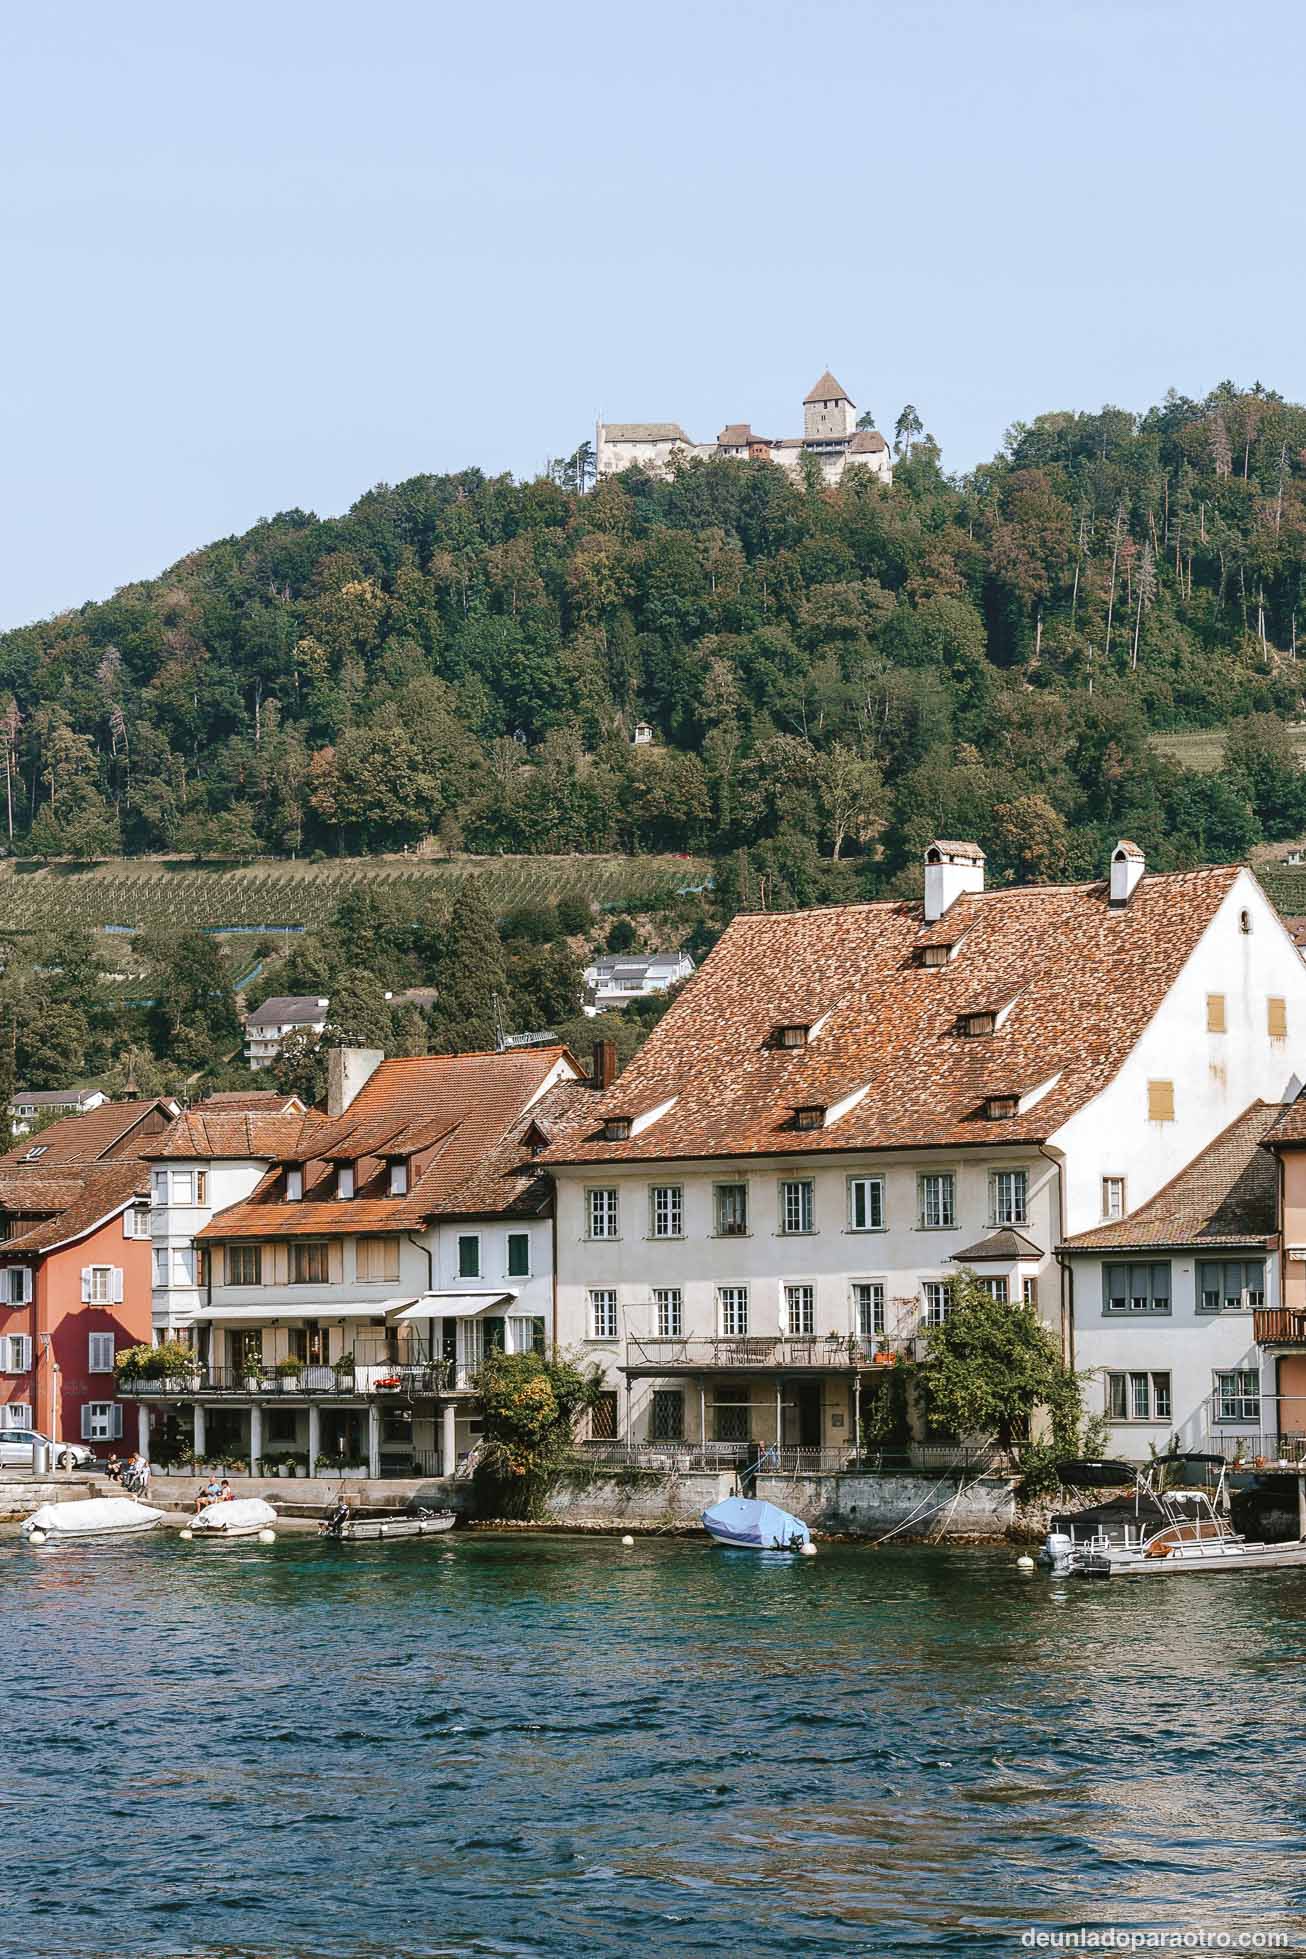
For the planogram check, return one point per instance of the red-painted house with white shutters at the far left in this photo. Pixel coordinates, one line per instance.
(75, 1268)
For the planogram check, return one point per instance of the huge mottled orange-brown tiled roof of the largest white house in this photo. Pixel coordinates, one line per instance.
(1090, 982)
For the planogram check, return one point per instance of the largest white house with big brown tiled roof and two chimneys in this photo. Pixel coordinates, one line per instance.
(849, 1106)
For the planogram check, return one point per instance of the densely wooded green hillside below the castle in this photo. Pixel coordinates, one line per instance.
(833, 677)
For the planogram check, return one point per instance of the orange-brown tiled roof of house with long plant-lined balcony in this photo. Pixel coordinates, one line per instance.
(459, 1118)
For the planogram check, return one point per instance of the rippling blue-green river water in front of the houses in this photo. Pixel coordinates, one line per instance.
(561, 1746)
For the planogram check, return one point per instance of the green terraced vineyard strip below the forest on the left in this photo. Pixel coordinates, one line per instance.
(140, 894)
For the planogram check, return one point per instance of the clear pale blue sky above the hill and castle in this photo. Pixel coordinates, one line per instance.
(265, 256)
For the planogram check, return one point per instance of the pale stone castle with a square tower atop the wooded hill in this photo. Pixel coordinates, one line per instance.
(829, 434)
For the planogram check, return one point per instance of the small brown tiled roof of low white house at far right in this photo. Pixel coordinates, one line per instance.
(1225, 1196)
